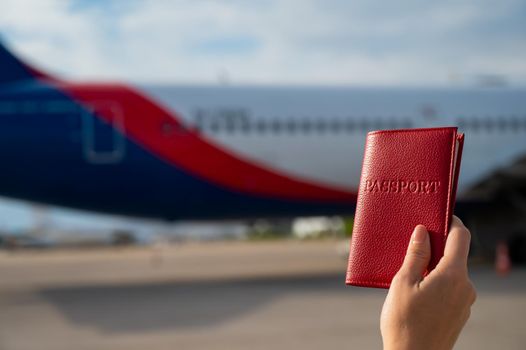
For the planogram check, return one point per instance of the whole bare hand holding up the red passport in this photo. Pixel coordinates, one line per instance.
(429, 312)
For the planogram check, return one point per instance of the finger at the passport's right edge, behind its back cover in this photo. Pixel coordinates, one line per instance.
(457, 244)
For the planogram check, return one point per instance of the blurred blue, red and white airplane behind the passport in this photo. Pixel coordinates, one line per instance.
(228, 152)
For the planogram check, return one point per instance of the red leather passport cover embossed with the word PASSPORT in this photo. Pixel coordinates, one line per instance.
(409, 177)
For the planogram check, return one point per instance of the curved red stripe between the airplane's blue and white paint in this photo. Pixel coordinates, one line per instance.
(162, 133)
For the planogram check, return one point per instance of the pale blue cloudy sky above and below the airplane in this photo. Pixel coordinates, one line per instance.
(314, 42)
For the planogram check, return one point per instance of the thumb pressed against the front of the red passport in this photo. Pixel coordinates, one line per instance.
(417, 256)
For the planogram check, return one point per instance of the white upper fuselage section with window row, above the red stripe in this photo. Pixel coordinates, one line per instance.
(318, 134)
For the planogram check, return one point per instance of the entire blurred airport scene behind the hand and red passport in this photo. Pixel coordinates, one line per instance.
(183, 174)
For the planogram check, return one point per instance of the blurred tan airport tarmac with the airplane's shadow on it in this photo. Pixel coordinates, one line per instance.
(218, 295)
